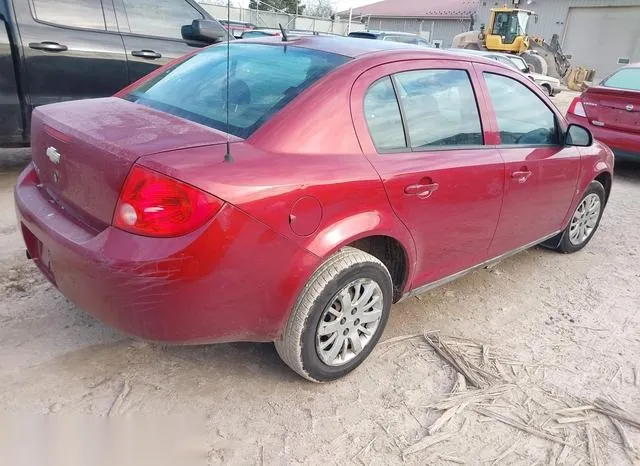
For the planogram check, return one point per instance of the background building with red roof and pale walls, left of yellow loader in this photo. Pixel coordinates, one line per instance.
(437, 20)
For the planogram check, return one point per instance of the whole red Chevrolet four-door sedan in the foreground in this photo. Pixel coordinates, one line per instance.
(328, 179)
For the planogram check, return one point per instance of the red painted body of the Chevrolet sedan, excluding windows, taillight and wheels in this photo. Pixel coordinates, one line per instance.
(238, 276)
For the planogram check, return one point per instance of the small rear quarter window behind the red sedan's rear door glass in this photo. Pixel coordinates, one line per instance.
(383, 117)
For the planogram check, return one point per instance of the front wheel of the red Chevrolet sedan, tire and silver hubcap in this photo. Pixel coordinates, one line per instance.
(585, 220)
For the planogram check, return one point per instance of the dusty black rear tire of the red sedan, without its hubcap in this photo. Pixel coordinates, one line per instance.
(297, 345)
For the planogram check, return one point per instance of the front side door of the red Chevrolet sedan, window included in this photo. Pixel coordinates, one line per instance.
(541, 172)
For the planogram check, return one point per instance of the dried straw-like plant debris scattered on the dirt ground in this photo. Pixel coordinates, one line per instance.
(489, 387)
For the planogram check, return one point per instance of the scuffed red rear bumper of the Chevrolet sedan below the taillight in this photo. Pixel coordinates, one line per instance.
(232, 280)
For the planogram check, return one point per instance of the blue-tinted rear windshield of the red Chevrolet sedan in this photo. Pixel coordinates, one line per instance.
(263, 80)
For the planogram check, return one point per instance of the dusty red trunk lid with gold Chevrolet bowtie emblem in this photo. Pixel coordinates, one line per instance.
(84, 150)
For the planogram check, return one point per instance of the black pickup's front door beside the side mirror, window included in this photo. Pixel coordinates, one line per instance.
(152, 32)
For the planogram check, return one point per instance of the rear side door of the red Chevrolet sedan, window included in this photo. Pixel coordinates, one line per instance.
(419, 124)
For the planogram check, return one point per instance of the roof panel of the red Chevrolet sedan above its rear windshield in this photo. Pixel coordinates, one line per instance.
(350, 46)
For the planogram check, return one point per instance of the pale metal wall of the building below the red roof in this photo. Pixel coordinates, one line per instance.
(437, 29)
